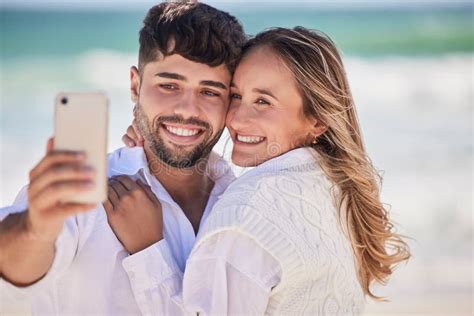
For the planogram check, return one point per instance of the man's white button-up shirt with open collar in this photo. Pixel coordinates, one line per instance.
(87, 276)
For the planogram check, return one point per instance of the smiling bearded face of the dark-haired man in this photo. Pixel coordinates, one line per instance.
(181, 108)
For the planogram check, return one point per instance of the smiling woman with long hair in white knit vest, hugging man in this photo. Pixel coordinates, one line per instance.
(305, 231)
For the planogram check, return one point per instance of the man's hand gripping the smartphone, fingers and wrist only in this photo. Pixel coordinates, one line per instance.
(59, 175)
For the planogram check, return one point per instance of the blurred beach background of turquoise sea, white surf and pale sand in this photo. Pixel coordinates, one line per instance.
(410, 66)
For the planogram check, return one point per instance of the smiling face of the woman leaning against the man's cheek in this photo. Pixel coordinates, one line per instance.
(265, 117)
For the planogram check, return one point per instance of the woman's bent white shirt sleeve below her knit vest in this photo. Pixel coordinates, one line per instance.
(229, 273)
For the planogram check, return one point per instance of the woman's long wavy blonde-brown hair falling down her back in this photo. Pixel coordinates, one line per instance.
(318, 70)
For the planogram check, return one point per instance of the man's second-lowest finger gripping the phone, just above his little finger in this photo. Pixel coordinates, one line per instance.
(51, 195)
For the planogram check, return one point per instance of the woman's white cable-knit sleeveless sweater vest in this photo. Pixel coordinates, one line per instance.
(288, 206)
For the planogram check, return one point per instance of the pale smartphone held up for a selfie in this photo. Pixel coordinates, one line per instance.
(81, 124)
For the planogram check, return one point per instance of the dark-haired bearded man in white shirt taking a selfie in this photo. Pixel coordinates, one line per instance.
(67, 258)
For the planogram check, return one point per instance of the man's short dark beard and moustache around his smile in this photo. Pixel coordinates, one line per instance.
(177, 157)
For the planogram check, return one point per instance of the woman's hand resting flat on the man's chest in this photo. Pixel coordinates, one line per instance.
(134, 213)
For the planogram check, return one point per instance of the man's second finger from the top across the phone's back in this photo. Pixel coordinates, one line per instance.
(61, 173)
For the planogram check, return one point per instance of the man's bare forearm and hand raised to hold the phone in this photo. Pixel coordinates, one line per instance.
(27, 239)
